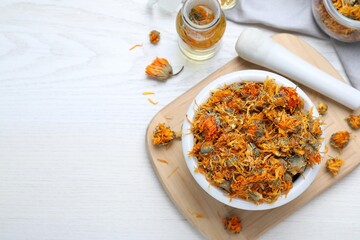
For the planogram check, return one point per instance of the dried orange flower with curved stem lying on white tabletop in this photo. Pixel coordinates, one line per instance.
(160, 69)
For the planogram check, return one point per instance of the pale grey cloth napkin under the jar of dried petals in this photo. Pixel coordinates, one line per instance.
(295, 16)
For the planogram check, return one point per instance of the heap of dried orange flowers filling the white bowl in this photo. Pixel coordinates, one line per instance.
(252, 139)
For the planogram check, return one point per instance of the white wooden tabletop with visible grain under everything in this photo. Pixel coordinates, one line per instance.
(73, 162)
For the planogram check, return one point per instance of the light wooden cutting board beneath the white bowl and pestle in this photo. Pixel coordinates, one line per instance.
(206, 213)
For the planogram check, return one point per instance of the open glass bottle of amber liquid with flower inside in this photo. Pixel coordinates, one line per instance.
(200, 25)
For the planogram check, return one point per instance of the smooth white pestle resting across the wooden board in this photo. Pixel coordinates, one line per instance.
(255, 46)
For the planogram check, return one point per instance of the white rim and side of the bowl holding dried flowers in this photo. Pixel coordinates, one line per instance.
(300, 184)
